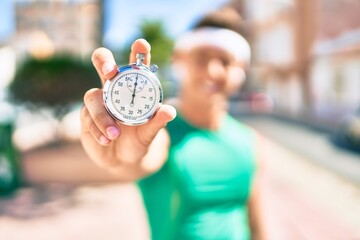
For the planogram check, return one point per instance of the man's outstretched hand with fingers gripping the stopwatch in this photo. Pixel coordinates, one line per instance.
(129, 152)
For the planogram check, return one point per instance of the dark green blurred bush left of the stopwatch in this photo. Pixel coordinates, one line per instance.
(55, 82)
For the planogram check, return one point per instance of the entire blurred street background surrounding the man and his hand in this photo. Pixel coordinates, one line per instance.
(302, 94)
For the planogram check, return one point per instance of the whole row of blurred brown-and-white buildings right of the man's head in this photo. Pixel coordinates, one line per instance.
(307, 55)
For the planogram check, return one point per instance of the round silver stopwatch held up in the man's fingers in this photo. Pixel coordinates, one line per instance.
(134, 94)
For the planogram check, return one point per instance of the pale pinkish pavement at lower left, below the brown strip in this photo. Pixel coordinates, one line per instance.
(64, 212)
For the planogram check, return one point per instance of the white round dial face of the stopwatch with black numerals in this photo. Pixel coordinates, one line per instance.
(134, 96)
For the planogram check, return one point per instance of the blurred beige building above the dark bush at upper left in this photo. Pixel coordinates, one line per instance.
(45, 27)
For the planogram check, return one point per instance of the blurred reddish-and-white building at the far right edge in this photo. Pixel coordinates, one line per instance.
(335, 67)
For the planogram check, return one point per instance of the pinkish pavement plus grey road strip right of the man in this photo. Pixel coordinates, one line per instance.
(311, 189)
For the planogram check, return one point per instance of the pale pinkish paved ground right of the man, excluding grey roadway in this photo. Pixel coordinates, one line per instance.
(304, 201)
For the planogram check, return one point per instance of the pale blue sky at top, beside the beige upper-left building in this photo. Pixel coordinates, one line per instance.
(122, 17)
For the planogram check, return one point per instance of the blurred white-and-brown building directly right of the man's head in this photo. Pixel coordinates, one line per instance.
(281, 35)
